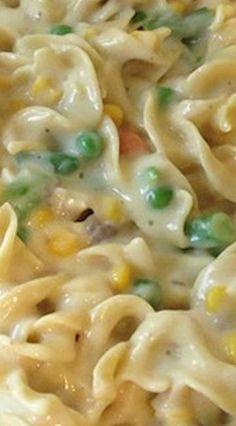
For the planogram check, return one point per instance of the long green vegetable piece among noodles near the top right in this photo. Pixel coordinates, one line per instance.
(183, 27)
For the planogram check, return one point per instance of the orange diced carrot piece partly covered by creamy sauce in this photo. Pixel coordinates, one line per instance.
(131, 142)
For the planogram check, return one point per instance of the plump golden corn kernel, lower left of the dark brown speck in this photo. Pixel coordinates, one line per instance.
(63, 243)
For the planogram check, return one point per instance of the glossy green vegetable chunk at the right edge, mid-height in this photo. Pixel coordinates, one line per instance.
(214, 230)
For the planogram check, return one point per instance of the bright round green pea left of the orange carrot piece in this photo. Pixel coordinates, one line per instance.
(90, 145)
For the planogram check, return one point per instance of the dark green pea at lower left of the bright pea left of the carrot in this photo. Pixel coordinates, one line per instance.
(64, 164)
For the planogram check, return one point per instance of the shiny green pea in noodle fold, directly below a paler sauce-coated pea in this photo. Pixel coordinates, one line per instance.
(159, 197)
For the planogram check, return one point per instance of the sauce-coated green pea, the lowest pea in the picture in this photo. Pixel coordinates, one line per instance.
(149, 290)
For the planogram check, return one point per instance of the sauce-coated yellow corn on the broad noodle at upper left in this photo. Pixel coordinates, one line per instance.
(43, 87)
